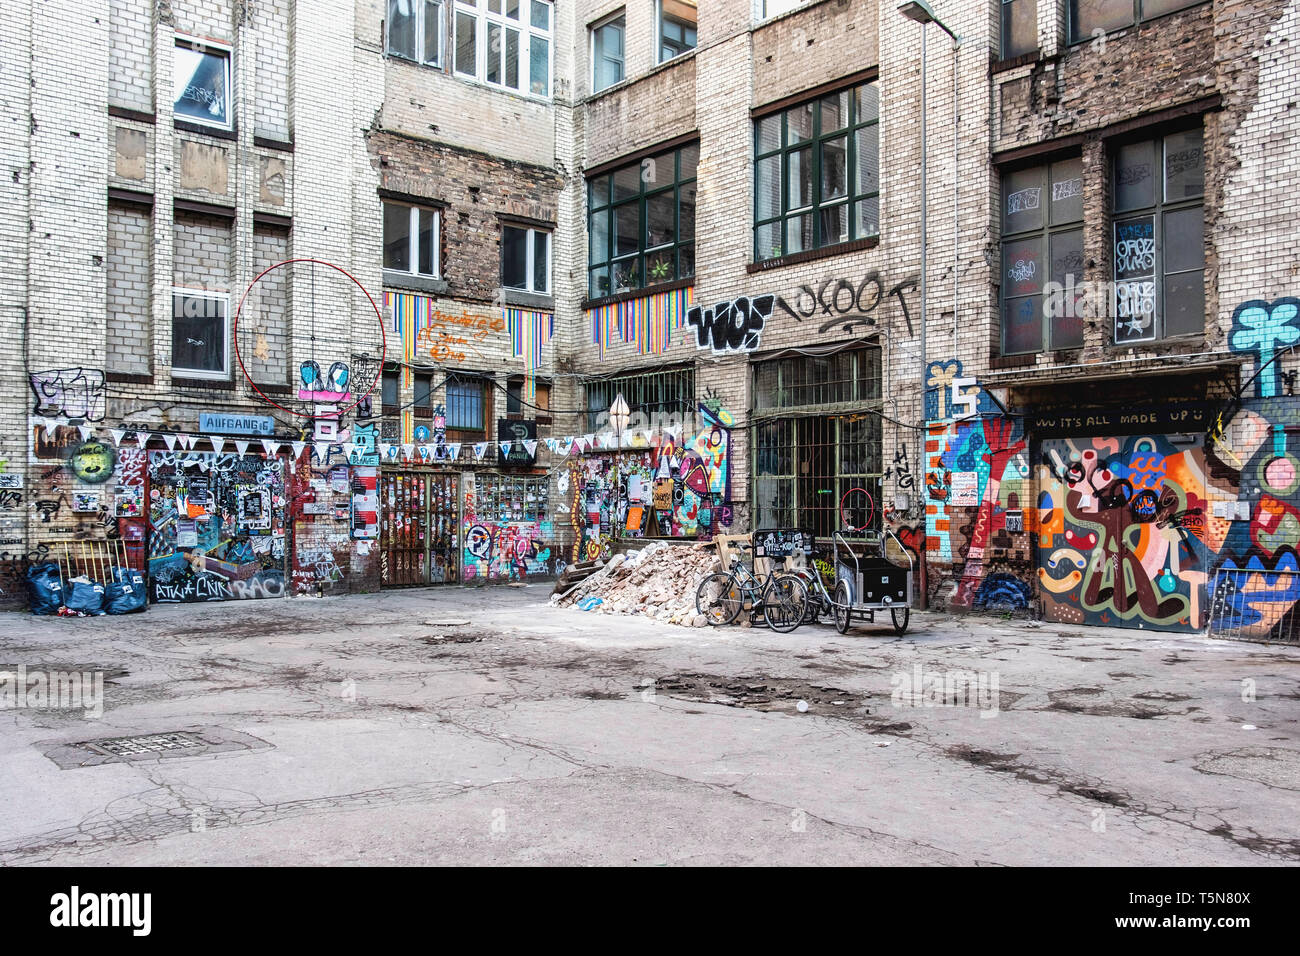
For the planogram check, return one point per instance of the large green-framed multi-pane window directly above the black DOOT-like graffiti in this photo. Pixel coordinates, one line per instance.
(817, 174)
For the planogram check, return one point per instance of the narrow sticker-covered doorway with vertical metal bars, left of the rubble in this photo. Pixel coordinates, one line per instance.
(418, 529)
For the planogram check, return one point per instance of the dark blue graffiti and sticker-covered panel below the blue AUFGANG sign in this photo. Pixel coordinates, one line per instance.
(216, 527)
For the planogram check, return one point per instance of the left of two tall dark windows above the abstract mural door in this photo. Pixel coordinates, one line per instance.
(1042, 258)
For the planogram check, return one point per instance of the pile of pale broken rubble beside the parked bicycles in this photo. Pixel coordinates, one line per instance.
(660, 582)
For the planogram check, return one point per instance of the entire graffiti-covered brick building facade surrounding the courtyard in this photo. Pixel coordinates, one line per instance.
(712, 210)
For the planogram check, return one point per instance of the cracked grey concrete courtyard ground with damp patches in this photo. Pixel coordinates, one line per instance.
(536, 736)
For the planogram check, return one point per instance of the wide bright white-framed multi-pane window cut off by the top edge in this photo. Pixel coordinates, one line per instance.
(505, 44)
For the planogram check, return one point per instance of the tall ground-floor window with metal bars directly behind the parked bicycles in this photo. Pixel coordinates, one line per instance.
(817, 436)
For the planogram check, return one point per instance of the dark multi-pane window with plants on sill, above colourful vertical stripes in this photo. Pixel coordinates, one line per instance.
(642, 223)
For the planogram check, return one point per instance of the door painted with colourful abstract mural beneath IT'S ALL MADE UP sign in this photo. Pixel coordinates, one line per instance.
(1123, 531)
